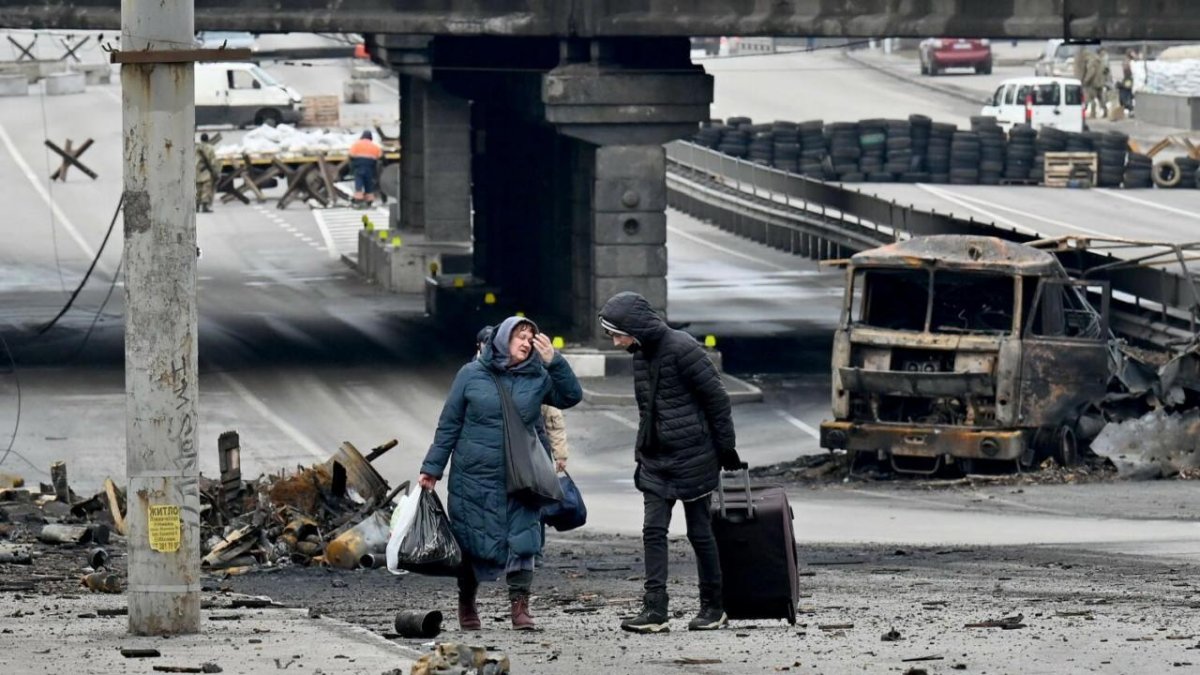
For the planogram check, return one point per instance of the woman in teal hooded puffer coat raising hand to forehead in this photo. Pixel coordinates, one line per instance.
(497, 534)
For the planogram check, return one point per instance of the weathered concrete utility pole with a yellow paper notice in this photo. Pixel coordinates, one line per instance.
(160, 321)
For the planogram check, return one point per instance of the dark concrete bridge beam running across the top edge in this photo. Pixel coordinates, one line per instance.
(1105, 20)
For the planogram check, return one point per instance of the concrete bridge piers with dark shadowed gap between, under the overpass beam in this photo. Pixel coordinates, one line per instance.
(548, 156)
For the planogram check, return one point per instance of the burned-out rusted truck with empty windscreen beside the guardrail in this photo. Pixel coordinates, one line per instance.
(965, 349)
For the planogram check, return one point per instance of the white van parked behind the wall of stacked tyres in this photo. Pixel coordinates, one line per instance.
(1039, 101)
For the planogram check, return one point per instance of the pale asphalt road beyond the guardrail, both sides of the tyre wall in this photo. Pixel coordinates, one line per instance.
(831, 87)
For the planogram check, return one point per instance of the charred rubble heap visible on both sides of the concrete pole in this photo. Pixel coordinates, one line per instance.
(335, 513)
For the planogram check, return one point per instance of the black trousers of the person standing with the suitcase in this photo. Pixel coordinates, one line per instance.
(700, 534)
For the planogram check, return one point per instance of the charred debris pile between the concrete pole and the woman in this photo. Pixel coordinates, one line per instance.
(335, 513)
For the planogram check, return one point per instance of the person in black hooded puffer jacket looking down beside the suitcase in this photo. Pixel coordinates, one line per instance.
(685, 438)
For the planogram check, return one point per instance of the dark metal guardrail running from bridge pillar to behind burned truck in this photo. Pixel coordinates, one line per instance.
(823, 220)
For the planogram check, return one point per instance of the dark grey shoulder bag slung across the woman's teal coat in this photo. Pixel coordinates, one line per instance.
(529, 468)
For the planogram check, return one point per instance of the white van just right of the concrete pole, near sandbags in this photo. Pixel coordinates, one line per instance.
(243, 94)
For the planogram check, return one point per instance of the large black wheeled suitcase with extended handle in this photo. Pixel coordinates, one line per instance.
(753, 527)
